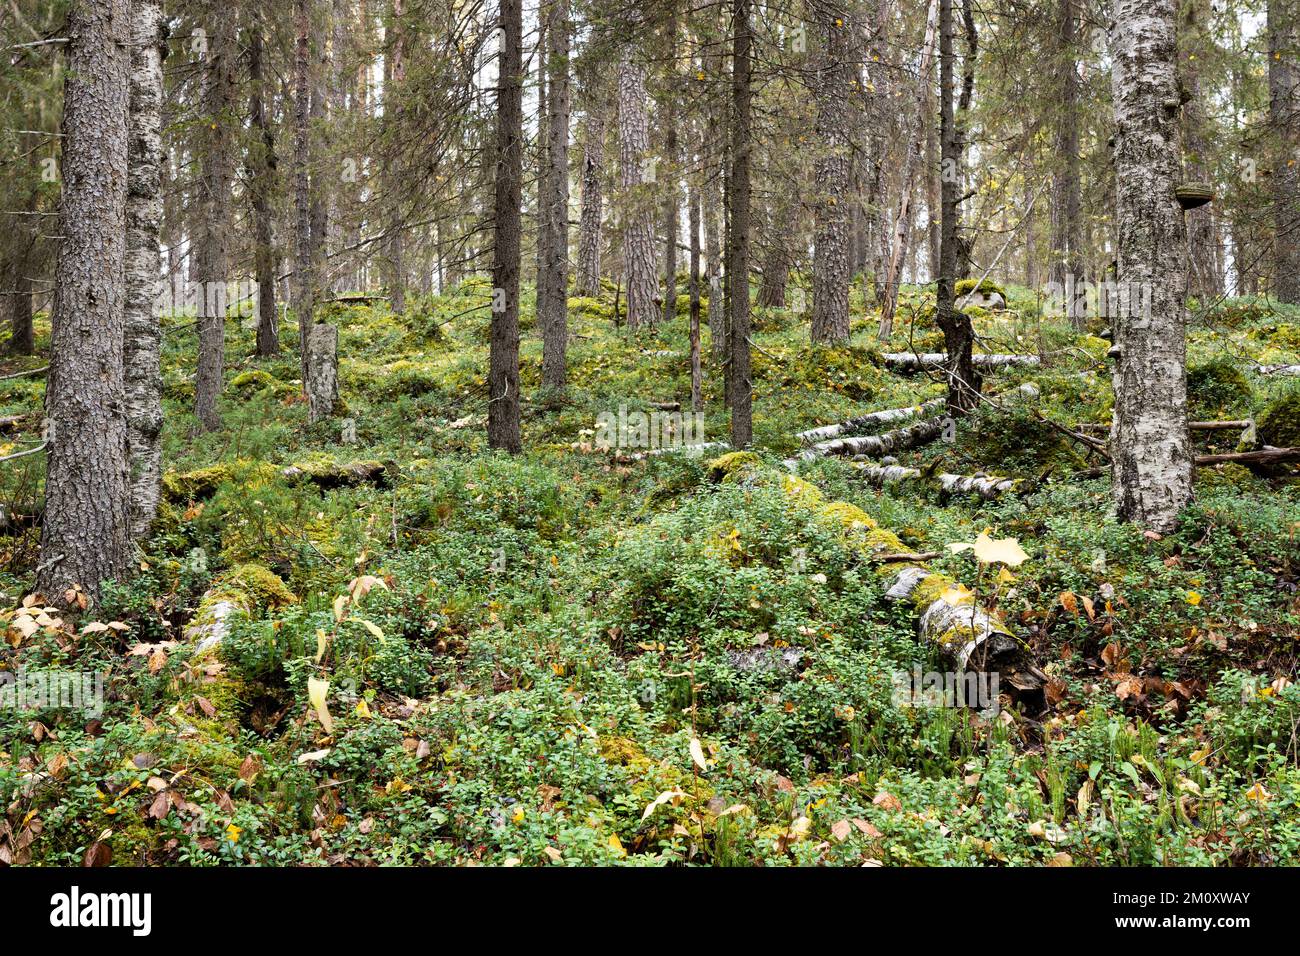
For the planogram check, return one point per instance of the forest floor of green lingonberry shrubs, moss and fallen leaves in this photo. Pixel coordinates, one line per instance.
(575, 656)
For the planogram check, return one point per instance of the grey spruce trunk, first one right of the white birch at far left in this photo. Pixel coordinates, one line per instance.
(213, 244)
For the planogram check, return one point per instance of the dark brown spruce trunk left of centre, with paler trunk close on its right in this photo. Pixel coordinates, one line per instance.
(504, 351)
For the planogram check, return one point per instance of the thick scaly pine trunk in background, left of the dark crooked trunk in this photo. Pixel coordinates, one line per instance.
(831, 210)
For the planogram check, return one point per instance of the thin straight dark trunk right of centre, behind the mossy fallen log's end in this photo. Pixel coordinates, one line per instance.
(739, 198)
